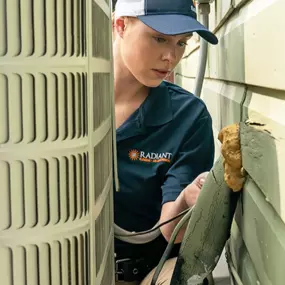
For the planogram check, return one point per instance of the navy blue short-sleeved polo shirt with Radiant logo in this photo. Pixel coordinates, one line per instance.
(162, 147)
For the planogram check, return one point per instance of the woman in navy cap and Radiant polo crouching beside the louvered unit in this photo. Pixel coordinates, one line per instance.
(164, 133)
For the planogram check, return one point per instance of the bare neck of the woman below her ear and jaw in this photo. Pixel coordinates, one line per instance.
(126, 87)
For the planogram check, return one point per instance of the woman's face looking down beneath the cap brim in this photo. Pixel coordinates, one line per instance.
(147, 54)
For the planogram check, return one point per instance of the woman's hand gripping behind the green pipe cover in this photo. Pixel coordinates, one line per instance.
(192, 191)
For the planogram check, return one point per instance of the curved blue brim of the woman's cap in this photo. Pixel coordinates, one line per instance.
(174, 24)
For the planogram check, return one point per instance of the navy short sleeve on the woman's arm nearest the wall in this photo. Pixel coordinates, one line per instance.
(195, 156)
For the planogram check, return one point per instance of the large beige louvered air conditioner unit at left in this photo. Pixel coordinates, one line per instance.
(56, 143)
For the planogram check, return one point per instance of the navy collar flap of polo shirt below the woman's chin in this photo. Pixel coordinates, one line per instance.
(157, 109)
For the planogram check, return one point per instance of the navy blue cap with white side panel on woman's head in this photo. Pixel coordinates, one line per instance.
(169, 17)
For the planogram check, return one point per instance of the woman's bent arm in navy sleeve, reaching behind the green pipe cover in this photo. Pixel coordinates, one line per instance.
(181, 189)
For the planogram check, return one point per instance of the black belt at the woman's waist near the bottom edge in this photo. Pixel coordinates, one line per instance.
(132, 269)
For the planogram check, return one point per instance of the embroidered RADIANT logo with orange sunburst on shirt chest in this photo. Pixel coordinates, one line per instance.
(154, 157)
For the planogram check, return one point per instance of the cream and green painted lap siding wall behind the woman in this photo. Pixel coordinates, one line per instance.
(245, 82)
